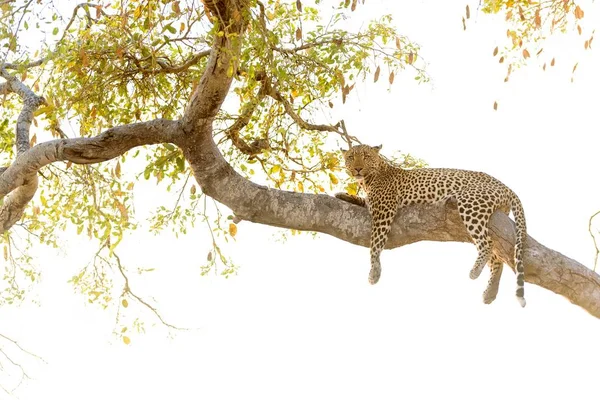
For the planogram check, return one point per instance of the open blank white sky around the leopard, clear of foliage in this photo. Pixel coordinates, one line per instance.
(300, 321)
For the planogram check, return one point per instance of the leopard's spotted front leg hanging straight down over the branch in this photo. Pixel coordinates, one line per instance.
(382, 217)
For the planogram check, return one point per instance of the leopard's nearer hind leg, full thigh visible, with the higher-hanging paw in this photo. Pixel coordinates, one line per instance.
(476, 221)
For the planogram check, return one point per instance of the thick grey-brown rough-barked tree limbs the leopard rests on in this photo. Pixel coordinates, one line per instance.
(259, 204)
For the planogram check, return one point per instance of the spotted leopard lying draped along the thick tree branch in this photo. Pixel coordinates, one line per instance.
(477, 195)
